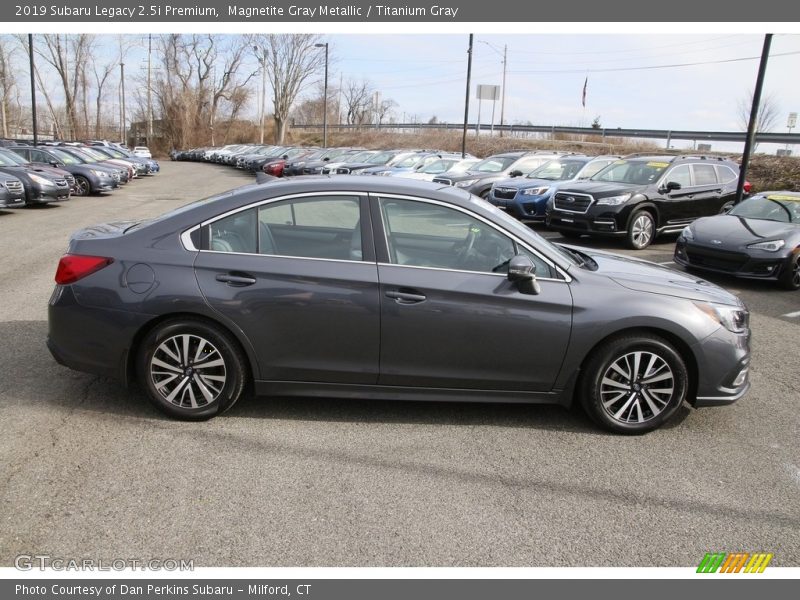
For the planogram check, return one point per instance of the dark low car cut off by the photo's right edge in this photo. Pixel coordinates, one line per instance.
(757, 239)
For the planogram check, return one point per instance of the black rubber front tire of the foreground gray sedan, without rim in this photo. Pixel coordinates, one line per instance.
(600, 362)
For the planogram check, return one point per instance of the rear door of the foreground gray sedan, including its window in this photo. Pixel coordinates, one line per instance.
(297, 276)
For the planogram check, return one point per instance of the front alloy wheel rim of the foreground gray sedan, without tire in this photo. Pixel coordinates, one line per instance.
(637, 387)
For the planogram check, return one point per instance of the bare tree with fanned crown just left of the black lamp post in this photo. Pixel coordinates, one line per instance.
(292, 59)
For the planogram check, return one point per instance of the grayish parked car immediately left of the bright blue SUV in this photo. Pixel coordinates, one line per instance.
(480, 177)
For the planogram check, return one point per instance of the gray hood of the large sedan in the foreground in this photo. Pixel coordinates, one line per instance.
(644, 276)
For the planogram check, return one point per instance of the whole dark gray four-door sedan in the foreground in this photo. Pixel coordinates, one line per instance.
(383, 288)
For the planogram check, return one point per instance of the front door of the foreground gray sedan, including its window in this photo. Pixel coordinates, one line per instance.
(449, 316)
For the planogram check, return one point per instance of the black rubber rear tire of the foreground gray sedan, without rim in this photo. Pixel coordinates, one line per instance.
(235, 368)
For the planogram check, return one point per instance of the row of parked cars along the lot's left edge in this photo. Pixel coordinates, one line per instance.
(31, 175)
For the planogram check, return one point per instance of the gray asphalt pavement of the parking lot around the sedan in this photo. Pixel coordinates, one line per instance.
(90, 470)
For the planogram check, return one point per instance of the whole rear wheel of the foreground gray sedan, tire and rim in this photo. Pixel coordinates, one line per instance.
(209, 390)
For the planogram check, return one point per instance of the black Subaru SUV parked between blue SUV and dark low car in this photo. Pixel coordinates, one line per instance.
(639, 197)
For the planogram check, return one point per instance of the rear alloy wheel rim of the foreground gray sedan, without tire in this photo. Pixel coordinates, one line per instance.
(188, 371)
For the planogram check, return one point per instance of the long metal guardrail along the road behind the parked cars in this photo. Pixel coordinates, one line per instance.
(662, 134)
